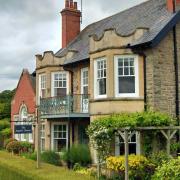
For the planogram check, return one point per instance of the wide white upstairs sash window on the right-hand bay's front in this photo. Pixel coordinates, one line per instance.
(126, 76)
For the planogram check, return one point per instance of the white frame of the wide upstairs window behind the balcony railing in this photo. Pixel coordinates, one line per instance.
(52, 81)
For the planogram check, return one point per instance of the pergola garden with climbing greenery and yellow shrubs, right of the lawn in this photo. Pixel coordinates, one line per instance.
(159, 146)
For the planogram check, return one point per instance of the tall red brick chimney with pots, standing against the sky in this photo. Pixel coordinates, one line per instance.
(70, 22)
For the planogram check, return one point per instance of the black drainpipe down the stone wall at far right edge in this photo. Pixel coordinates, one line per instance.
(176, 69)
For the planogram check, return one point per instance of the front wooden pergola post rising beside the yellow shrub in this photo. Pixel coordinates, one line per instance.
(126, 154)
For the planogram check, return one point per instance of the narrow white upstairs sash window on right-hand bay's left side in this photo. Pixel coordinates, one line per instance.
(100, 71)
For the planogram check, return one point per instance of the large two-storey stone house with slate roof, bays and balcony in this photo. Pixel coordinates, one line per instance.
(127, 62)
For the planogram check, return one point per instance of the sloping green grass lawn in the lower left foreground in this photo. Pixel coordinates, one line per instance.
(17, 168)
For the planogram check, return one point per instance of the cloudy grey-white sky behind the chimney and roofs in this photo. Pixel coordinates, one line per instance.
(29, 27)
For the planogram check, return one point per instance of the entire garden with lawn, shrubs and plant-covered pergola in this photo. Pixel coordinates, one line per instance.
(157, 158)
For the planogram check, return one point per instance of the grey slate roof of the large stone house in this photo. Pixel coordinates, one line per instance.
(151, 14)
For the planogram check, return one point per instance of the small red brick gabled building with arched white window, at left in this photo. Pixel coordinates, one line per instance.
(23, 105)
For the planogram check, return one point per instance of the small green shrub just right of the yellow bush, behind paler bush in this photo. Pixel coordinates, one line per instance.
(158, 158)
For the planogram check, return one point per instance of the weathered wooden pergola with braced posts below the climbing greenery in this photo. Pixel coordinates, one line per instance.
(168, 132)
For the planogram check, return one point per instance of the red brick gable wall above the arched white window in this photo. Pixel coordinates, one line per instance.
(24, 95)
